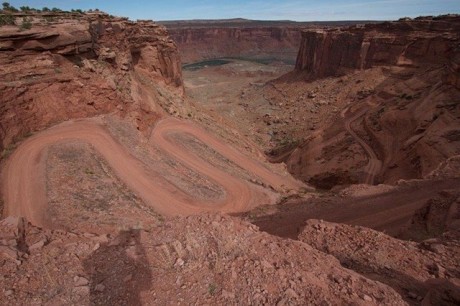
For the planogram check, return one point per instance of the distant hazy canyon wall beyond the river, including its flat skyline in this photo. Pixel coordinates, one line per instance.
(242, 38)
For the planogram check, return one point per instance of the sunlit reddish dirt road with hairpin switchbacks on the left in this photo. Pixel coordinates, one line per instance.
(24, 183)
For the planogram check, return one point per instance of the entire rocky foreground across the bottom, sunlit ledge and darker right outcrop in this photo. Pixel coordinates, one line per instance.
(221, 260)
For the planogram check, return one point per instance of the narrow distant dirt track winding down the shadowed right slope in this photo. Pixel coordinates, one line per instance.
(374, 164)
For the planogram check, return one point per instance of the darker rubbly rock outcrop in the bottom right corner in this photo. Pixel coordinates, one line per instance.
(427, 272)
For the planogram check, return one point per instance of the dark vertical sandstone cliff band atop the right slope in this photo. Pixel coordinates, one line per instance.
(405, 43)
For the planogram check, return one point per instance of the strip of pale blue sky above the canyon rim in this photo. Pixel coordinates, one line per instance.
(258, 9)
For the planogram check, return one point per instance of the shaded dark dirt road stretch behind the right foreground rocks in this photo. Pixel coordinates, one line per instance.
(387, 212)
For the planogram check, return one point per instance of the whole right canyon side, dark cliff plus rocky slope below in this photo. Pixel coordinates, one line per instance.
(382, 108)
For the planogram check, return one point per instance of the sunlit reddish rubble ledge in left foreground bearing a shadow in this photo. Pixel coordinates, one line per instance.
(208, 259)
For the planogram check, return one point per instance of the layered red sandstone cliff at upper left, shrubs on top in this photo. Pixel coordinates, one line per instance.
(70, 68)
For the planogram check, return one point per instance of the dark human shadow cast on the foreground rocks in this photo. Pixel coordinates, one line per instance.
(119, 271)
